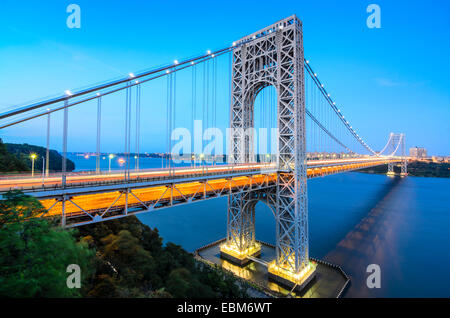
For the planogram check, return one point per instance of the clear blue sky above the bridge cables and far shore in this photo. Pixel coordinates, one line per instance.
(389, 79)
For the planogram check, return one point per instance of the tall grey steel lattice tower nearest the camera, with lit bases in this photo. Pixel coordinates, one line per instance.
(272, 56)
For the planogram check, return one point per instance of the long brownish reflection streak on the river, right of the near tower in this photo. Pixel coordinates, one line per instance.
(372, 241)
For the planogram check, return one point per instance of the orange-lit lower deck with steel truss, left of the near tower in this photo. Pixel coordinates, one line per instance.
(77, 209)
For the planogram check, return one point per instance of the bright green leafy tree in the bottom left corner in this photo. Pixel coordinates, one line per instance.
(34, 255)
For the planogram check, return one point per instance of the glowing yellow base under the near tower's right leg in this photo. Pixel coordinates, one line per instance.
(285, 277)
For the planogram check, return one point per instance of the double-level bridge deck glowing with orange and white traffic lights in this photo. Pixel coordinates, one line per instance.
(96, 197)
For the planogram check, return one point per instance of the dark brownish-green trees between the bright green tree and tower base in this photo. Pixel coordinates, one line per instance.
(134, 263)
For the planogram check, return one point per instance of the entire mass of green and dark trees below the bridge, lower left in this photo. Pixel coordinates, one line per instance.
(118, 258)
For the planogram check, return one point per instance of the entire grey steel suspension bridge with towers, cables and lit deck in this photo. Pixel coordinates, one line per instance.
(283, 129)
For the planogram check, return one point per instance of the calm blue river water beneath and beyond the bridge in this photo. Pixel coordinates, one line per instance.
(355, 219)
